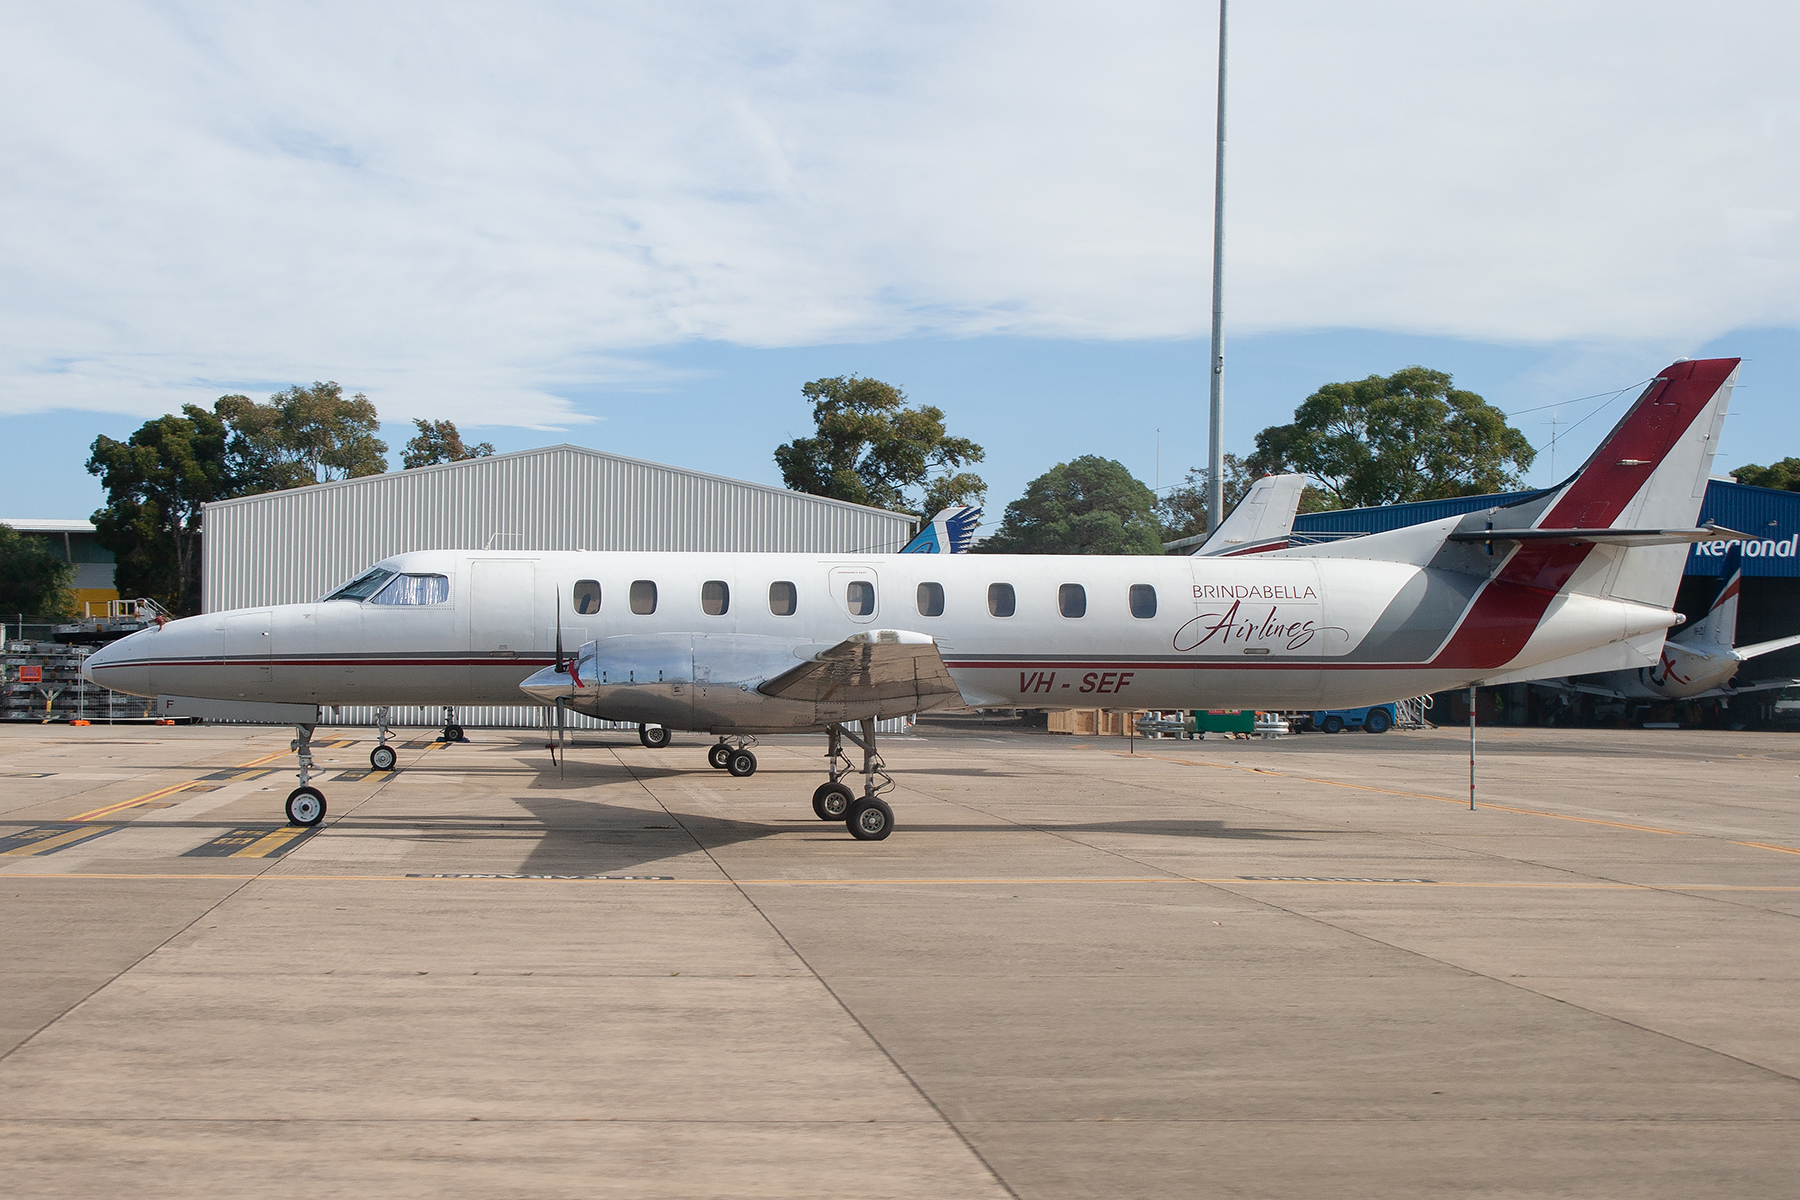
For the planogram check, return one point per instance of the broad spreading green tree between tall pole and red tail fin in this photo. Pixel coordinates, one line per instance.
(1408, 436)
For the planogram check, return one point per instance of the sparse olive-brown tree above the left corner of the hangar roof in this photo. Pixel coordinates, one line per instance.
(307, 434)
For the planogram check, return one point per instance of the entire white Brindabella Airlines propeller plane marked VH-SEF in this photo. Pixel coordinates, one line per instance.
(741, 645)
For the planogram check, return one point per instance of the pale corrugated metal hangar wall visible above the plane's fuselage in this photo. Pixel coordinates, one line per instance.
(291, 548)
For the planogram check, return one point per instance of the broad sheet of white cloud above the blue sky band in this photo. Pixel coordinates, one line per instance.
(474, 211)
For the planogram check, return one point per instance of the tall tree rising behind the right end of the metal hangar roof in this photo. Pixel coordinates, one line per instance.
(870, 449)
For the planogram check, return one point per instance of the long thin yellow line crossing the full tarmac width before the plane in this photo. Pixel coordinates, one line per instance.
(958, 882)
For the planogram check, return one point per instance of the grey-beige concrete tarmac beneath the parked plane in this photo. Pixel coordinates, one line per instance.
(1225, 969)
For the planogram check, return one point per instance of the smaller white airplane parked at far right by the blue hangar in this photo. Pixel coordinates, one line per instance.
(1700, 661)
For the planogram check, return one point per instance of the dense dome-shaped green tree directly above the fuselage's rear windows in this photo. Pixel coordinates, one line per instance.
(1086, 506)
